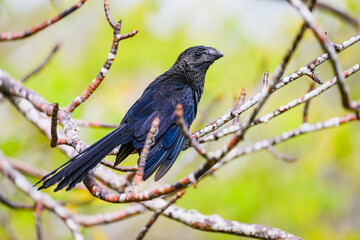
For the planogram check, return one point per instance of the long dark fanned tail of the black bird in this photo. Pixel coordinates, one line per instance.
(74, 170)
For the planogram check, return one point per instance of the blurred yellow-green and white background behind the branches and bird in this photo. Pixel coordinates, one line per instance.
(317, 197)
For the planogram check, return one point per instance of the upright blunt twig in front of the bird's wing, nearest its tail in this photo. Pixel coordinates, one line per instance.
(150, 140)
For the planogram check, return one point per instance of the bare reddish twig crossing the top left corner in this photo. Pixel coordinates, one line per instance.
(10, 36)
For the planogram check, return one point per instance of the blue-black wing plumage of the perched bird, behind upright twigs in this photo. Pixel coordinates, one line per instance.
(160, 100)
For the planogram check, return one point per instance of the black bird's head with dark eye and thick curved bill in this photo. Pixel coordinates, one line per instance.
(194, 61)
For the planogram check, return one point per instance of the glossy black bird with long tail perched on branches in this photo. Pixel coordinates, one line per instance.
(183, 83)
